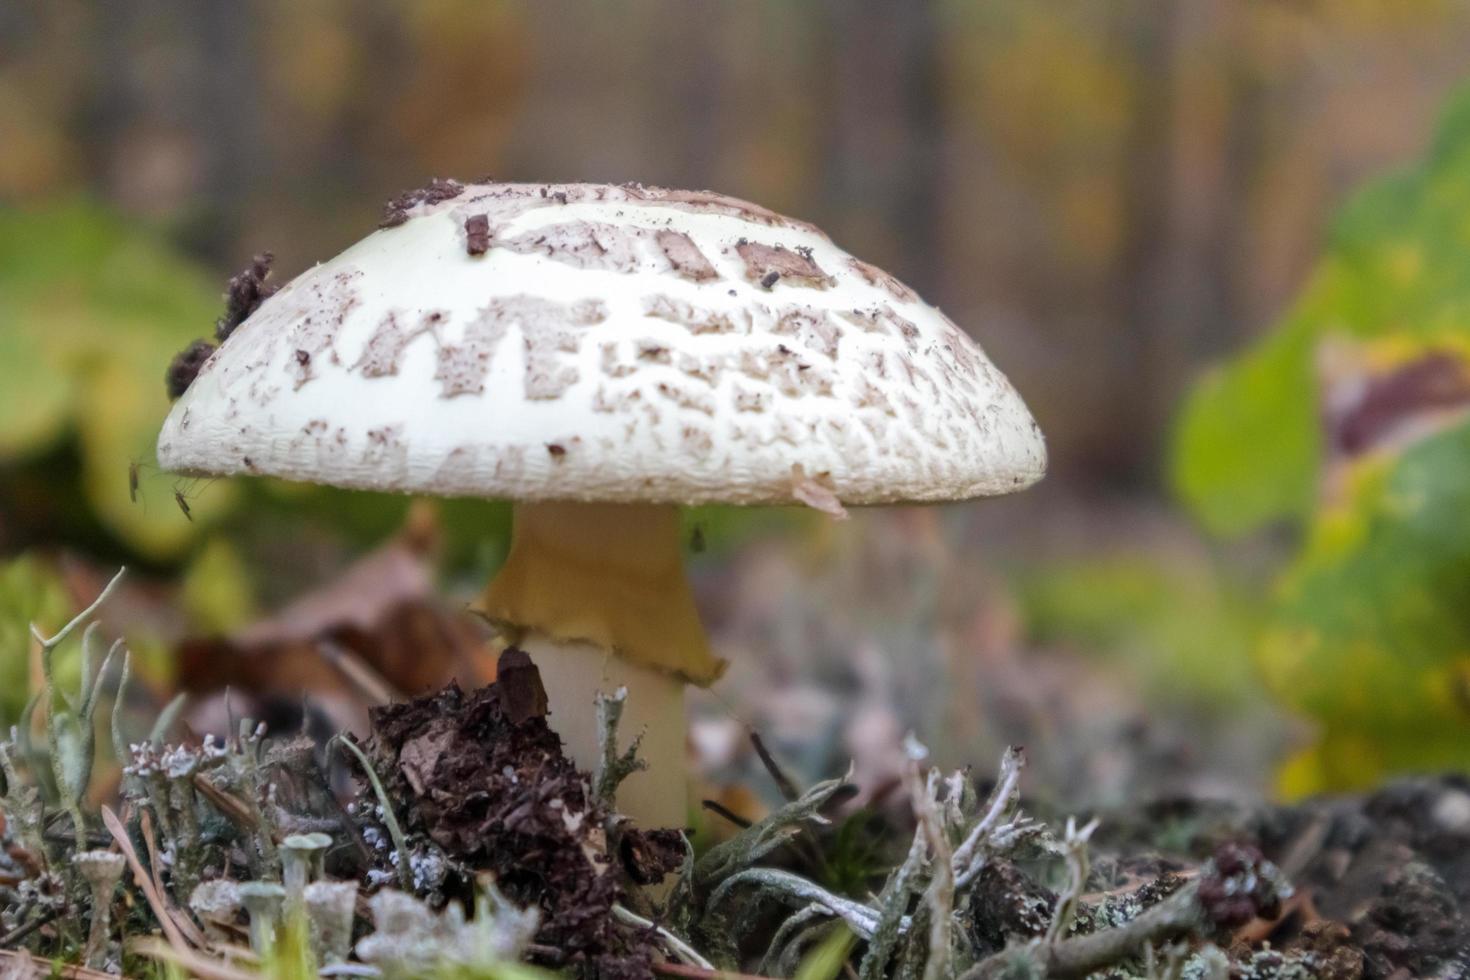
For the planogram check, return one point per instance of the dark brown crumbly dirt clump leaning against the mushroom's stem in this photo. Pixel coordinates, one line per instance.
(484, 778)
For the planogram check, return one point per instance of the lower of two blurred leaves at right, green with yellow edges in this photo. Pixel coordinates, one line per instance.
(1372, 630)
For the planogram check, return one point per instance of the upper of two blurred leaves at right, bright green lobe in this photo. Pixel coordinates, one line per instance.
(1247, 449)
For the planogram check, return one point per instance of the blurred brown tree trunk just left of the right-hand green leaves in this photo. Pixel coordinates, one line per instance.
(1188, 180)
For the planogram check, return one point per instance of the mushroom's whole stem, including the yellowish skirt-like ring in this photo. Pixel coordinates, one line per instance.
(596, 594)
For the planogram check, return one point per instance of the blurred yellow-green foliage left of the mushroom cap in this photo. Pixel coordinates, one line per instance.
(92, 311)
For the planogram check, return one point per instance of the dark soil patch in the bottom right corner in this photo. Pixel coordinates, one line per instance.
(1381, 881)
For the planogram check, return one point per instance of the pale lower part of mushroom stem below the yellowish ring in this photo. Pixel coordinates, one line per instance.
(574, 674)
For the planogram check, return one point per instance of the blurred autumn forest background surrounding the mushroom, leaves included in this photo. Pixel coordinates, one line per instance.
(1111, 196)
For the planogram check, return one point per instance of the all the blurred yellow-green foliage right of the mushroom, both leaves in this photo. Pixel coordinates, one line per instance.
(1369, 631)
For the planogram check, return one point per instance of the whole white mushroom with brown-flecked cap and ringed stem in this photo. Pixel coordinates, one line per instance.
(600, 355)
